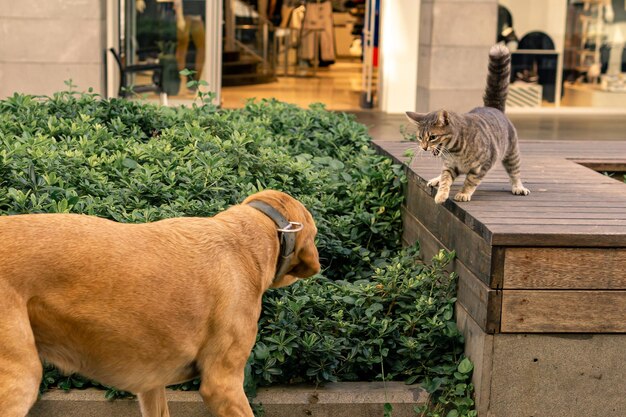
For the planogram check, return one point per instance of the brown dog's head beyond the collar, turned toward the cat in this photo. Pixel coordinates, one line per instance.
(305, 262)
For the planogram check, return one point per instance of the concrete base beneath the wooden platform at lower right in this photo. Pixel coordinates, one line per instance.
(546, 375)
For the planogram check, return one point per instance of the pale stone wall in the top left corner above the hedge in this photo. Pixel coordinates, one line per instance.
(44, 43)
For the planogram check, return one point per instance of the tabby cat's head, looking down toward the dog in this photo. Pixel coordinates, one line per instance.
(433, 129)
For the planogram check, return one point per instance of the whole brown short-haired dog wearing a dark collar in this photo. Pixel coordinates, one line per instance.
(142, 306)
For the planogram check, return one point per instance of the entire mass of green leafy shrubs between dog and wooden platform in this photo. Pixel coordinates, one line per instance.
(373, 308)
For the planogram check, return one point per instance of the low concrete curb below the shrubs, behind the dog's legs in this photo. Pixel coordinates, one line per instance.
(346, 399)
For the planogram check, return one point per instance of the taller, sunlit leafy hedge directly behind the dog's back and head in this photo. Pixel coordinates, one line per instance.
(135, 162)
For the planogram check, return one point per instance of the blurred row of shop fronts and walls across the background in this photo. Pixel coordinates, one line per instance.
(388, 55)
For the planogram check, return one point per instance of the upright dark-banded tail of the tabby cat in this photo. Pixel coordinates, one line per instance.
(498, 77)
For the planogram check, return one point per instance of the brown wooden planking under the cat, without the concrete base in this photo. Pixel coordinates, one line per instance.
(553, 261)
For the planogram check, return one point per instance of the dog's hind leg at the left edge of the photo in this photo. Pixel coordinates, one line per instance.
(20, 367)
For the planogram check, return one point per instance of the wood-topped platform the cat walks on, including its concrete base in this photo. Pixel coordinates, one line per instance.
(542, 282)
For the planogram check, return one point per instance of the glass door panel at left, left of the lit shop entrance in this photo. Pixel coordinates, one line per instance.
(160, 38)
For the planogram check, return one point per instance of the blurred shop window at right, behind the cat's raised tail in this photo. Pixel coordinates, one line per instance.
(565, 53)
